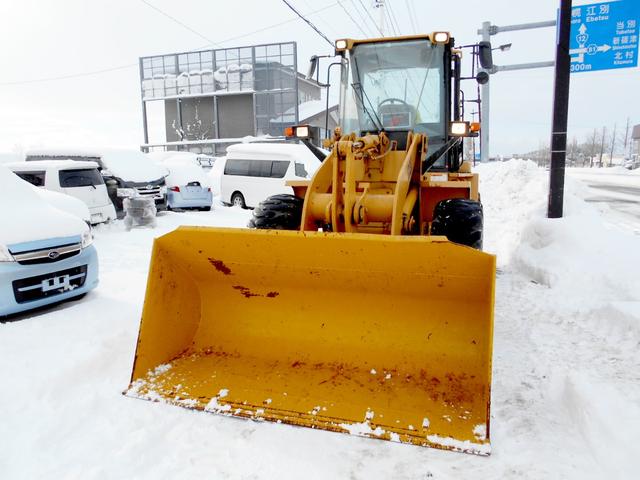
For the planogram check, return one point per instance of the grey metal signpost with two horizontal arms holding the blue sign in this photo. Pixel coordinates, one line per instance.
(487, 31)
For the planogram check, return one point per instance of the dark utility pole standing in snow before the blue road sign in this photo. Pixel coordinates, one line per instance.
(560, 113)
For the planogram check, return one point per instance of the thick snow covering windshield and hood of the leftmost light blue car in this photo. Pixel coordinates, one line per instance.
(26, 216)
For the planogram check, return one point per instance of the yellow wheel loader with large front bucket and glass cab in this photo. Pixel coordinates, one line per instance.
(361, 304)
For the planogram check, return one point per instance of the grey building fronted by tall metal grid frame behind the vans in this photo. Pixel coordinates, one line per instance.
(204, 101)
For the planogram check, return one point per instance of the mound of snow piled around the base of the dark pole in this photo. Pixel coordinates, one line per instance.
(579, 256)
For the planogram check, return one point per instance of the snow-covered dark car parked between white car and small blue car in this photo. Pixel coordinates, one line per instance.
(126, 173)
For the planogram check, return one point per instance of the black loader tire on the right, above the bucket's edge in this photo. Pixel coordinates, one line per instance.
(460, 220)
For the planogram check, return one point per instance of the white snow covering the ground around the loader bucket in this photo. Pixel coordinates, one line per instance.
(566, 386)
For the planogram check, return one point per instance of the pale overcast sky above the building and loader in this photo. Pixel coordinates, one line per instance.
(41, 39)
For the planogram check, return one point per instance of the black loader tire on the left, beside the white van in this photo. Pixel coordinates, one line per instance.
(279, 212)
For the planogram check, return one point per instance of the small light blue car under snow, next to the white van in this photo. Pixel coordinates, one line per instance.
(187, 186)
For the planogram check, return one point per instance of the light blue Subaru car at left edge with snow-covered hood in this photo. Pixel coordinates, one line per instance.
(46, 255)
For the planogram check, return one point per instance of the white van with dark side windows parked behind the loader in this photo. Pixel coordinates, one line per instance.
(255, 171)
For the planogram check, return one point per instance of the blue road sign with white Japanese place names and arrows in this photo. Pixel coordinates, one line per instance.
(605, 36)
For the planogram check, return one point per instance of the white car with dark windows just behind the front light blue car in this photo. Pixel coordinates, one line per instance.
(78, 179)
